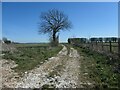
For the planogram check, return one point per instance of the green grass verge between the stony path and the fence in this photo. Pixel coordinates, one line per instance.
(100, 68)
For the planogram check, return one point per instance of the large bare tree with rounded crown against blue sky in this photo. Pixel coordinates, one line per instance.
(52, 22)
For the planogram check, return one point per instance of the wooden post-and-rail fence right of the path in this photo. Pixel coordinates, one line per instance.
(102, 47)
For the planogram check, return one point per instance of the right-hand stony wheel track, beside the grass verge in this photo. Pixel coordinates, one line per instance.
(70, 74)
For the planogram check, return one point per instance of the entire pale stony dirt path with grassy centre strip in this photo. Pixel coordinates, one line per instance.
(61, 71)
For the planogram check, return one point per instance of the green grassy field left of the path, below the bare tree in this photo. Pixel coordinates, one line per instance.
(29, 56)
